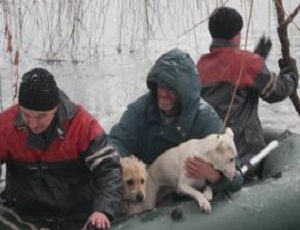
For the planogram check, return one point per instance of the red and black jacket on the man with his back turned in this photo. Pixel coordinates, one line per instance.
(225, 68)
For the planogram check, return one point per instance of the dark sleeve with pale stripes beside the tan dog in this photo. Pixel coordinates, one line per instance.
(104, 163)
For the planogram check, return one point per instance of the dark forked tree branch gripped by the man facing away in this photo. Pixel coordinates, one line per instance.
(284, 41)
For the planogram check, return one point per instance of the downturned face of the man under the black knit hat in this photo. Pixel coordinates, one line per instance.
(38, 121)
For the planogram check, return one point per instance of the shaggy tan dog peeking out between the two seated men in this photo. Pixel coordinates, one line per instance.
(134, 183)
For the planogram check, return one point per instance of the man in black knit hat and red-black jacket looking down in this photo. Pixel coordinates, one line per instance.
(61, 173)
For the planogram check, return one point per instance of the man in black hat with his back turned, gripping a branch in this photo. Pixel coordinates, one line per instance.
(231, 75)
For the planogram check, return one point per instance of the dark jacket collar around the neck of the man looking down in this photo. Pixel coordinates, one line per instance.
(66, 110)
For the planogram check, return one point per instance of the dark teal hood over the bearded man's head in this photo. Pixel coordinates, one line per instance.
(177, 71)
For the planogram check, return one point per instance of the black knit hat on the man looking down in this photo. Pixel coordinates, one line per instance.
(38, 90)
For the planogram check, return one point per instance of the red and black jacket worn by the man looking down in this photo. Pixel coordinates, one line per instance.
(67, 170)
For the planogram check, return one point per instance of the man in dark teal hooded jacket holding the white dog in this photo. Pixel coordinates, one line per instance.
(171, 112)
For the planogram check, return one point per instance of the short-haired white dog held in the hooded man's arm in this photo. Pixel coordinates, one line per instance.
(168, 170)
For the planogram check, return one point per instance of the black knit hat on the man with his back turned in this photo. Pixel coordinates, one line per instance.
(225, 23)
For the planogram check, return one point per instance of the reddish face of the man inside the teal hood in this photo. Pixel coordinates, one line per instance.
(167, 101)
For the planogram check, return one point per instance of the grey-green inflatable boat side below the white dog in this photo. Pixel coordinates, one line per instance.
(270, 204)
